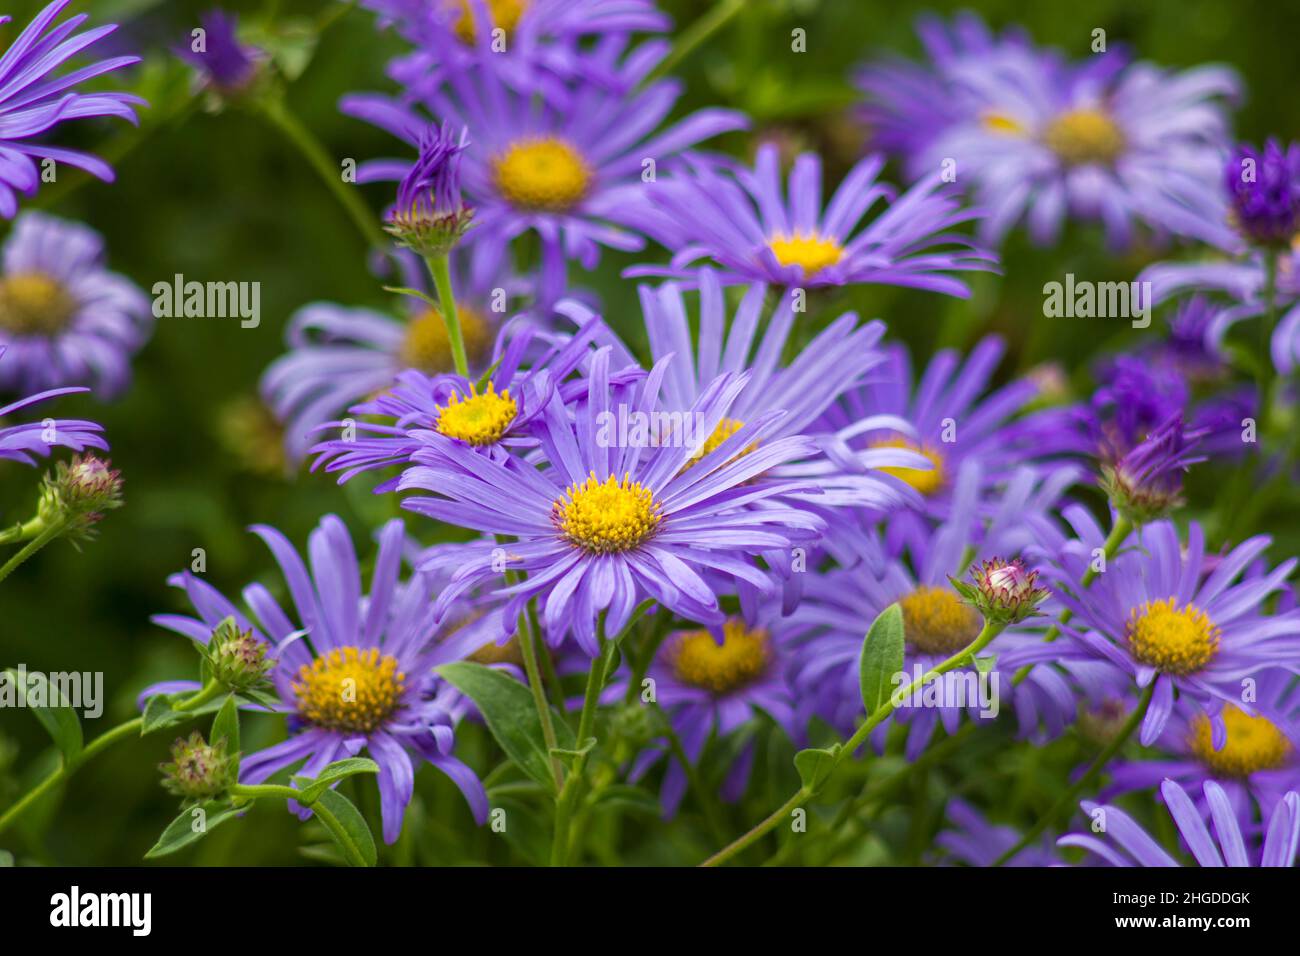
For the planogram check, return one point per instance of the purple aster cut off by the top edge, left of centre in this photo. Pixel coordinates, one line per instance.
(527, 42)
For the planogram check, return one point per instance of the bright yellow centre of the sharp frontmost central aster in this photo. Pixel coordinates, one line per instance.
(606, 518)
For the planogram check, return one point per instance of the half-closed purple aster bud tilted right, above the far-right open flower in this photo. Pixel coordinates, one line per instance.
(1147, 482)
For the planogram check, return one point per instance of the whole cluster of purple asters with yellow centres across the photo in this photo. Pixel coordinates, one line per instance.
(733, 487)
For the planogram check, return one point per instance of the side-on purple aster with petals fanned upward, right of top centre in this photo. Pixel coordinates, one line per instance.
(742, 220)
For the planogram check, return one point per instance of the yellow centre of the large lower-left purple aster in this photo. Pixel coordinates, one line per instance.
(350, 690)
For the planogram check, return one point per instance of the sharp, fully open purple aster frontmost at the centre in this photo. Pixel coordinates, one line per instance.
(603, 529)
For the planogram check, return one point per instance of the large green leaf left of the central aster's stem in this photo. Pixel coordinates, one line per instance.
(508, 708)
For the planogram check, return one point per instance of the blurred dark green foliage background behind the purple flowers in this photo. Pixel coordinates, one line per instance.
(220, 196)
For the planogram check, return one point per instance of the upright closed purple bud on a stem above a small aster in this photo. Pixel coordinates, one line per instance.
(430, 218)
